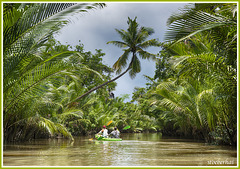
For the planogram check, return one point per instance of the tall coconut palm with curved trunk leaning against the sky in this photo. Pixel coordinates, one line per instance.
(135, 41)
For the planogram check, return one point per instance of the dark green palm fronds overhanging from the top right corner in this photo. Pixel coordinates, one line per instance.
(218, 21)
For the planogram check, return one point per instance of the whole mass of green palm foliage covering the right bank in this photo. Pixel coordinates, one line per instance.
(200, 99)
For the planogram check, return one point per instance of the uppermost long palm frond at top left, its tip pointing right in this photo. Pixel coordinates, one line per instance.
(42, 16)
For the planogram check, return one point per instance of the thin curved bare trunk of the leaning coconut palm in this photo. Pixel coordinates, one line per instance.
(97, 87)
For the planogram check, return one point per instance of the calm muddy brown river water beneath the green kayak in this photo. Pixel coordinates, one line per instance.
(135, 150)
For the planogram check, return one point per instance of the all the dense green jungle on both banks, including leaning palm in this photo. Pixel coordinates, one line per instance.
(193, 93)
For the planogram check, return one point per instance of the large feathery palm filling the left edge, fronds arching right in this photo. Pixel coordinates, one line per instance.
(27, 28)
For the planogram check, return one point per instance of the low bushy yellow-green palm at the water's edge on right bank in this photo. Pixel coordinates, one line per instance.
(187, 102)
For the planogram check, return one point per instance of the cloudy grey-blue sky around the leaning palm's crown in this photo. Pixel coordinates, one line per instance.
(96, 27)
